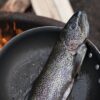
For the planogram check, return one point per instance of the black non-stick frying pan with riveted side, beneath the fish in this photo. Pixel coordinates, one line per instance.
(23, 58)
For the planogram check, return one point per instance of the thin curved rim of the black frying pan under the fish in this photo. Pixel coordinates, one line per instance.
(31, 31)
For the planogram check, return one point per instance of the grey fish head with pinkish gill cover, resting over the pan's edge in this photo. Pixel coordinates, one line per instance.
(75, 31)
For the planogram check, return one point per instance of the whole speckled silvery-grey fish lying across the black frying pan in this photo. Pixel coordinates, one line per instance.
(60, 70)
